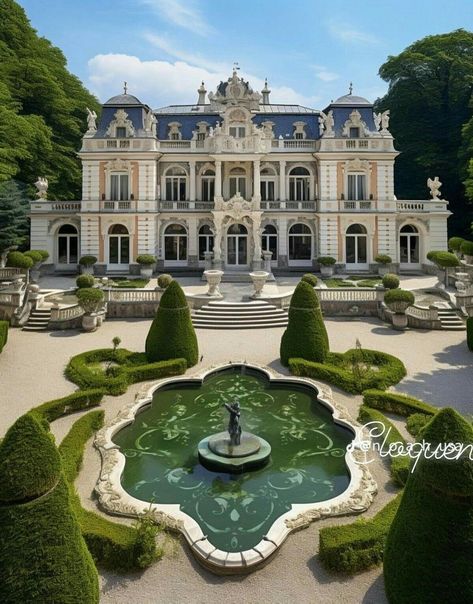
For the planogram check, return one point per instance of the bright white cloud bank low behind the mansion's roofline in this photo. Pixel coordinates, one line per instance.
(159, 82)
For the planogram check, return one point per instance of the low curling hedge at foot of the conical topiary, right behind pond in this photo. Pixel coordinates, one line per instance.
(337, 370)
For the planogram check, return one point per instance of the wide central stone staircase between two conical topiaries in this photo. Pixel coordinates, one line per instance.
(239, 315)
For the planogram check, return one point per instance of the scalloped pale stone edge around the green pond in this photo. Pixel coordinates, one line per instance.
(115, 500)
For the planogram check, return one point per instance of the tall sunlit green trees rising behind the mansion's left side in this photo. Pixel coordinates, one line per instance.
(42, 108)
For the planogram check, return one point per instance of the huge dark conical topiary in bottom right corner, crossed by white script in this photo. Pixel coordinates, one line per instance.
(429, 549)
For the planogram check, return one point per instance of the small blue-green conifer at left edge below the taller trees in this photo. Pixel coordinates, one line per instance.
(14, 225)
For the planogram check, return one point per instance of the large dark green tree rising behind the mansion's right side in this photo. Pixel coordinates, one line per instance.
(430, 87)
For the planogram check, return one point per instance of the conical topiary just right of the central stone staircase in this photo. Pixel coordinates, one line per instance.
(305, 336)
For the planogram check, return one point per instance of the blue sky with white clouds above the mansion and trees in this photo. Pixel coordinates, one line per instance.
(308, 49)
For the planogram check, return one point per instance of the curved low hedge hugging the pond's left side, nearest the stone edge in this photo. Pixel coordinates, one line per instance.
(113, 546)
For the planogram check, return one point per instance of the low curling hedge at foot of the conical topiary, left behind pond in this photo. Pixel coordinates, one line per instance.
(132, 367)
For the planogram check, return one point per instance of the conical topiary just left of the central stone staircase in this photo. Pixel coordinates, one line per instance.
(172, 335)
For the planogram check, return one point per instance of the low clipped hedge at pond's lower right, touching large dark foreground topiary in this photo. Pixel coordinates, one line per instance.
(358, 546)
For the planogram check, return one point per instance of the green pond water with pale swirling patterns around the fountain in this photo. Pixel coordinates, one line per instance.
(235, 511)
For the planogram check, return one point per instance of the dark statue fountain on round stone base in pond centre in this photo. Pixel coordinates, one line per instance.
(235, 451)
